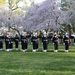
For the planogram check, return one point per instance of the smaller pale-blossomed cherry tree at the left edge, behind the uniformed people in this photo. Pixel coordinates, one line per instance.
(13, 22)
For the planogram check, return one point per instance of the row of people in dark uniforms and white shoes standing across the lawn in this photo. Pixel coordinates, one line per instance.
(34, 38)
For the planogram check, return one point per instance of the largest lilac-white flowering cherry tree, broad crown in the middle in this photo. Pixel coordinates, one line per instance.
(43, 16)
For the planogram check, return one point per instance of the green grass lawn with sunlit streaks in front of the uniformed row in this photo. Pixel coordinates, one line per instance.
(38, 63)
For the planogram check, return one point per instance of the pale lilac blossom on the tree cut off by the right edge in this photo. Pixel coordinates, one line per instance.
(70, 14)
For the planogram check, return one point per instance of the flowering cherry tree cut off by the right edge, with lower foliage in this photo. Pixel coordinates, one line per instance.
(69, 19)
